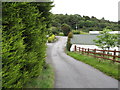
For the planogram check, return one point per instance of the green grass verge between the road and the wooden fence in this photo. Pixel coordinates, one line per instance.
(105, 66)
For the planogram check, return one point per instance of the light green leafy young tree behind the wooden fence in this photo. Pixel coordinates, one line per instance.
(106, 40)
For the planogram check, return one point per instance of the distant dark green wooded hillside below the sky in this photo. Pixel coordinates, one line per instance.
(83, 23)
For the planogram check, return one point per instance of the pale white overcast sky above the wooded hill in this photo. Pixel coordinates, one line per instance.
(98, 8)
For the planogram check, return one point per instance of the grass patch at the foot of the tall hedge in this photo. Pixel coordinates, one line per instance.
(45, 80)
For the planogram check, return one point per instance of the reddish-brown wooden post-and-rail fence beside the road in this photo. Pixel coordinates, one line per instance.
(104, 54)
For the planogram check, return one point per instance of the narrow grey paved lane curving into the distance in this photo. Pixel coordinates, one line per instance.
(70, 73)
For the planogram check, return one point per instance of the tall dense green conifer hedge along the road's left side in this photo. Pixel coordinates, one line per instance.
(23, 41)
